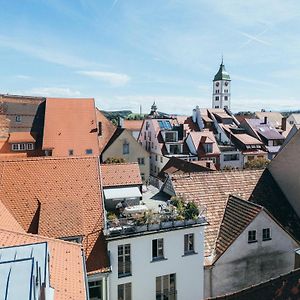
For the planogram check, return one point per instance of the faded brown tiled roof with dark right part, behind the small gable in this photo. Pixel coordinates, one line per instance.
(210, 190)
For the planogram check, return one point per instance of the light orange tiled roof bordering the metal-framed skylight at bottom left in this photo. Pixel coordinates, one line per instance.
(66, 264)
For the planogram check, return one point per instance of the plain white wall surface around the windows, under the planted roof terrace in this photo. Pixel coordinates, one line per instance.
(188, 269)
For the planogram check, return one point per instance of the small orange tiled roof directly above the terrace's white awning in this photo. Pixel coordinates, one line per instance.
(120, 174)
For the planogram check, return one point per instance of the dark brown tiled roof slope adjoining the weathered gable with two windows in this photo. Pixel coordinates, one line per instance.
(237, 216)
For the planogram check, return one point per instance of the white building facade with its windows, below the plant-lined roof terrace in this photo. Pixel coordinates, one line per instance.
(161, 264)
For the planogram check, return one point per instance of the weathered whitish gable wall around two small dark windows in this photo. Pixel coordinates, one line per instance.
(245, 264)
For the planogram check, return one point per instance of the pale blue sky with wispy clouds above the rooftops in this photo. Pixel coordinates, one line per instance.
(130, 53)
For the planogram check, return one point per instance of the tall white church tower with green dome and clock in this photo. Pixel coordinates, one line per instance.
(221, 89)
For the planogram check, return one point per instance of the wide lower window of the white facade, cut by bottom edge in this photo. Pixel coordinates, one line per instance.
(166, 287)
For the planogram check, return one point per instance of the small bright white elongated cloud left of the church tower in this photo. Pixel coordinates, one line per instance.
(114, 79)
